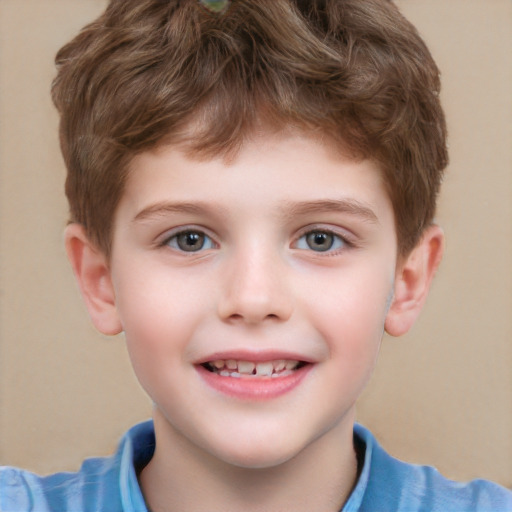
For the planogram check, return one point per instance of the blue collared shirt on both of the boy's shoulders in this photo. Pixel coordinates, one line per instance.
(110, 484)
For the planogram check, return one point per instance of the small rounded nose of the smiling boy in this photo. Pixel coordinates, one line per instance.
(255, 288)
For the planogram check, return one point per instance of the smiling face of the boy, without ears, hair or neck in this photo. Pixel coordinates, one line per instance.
(287, 253)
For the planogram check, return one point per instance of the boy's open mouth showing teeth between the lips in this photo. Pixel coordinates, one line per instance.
(248, 369)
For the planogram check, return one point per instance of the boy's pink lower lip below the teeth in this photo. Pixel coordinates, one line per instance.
(254, 388)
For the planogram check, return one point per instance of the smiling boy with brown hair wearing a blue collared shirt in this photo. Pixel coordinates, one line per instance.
(252, 191)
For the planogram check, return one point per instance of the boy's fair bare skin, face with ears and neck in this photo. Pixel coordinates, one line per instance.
(284, 254)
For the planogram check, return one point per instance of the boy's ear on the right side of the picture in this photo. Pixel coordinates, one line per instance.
(412, 281)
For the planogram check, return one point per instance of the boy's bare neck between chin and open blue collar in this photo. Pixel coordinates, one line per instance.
(181, 477)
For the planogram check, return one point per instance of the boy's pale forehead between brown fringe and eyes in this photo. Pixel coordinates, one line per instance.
(283, 172)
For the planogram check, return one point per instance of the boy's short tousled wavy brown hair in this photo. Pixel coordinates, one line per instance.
(356, 70)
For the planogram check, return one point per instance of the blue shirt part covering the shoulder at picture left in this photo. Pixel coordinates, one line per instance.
(108, 484)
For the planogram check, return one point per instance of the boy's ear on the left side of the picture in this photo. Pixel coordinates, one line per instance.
(92, 272)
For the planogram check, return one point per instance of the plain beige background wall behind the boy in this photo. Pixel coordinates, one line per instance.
(441, 395)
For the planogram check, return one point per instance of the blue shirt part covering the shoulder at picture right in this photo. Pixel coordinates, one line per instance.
(401, 487)
